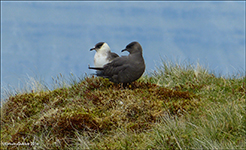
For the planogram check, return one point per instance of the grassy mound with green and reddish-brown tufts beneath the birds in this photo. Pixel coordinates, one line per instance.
(174, 107)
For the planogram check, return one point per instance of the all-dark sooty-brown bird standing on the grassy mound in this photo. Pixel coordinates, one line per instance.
(124, 69)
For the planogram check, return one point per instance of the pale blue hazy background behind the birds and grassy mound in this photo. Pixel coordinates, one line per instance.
(45, 39)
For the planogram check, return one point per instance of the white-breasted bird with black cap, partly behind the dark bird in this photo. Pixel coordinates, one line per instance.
(103, 54)
